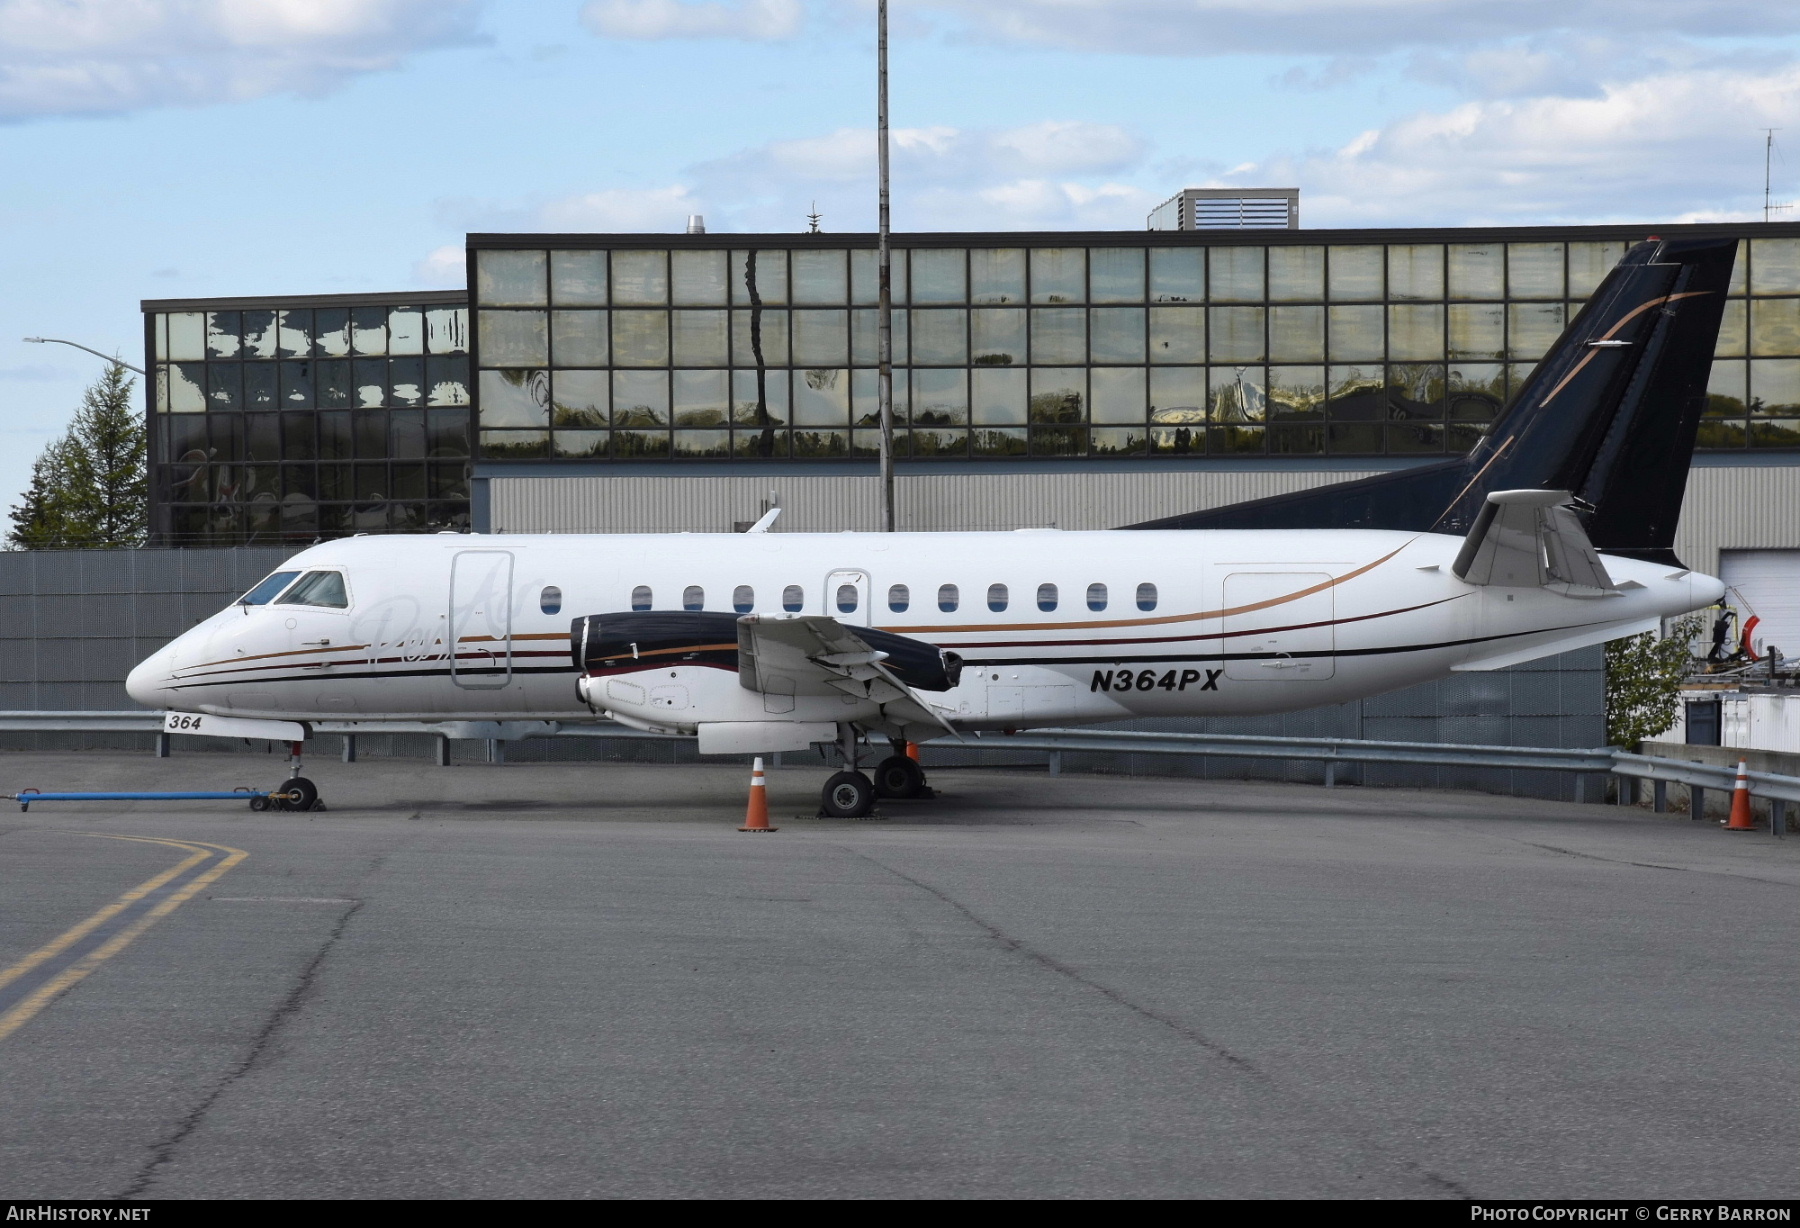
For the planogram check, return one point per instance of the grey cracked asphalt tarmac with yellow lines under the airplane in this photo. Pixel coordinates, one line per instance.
(582, 980)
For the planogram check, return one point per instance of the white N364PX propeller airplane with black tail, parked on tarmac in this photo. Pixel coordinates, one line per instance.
(777, 642)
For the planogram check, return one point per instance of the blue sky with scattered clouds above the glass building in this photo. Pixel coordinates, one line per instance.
(186, 149)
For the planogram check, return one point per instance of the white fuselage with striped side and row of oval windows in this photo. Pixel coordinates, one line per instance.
(1052, 628)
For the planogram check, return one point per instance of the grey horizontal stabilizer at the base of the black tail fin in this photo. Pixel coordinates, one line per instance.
(1533, 539)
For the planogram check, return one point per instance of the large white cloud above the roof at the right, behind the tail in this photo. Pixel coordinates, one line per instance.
(1671, 145)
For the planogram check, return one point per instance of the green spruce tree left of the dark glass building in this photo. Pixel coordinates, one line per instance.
(91, 489)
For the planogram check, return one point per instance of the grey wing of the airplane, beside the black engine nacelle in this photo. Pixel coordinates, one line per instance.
(813, 655)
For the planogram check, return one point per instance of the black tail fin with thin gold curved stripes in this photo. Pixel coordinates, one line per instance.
(1610, 415)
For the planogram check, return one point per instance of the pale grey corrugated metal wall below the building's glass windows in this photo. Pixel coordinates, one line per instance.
(1727, 507)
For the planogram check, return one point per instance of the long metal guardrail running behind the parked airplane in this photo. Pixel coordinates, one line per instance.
(1329, 752)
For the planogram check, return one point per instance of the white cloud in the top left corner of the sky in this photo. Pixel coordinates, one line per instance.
(107, 57)
